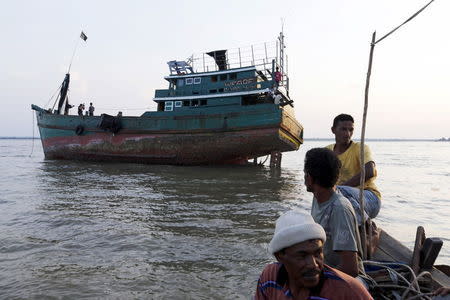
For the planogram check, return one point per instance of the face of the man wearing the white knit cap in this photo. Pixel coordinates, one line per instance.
(303, 263)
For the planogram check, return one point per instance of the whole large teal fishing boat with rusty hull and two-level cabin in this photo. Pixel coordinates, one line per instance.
(223, 106)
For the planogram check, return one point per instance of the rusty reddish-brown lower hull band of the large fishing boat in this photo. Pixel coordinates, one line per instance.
(178, 149)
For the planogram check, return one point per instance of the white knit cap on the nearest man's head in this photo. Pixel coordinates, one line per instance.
(295, 227)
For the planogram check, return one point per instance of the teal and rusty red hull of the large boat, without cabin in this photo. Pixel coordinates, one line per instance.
(205, 143)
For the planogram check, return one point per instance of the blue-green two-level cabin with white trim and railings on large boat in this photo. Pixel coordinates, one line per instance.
(237, 77)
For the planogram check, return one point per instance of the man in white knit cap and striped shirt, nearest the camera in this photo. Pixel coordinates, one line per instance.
(300, 272)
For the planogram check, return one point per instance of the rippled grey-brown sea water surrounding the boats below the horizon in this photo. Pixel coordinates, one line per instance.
(73, 230)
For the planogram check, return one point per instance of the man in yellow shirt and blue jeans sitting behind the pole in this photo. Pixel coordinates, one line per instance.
(348, 153)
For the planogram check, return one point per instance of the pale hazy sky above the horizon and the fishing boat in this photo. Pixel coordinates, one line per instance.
(328, 43)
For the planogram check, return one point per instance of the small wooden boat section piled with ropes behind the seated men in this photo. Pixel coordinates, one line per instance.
(399, 273)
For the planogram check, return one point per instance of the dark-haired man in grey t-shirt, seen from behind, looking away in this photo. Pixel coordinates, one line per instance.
(342, 250)
